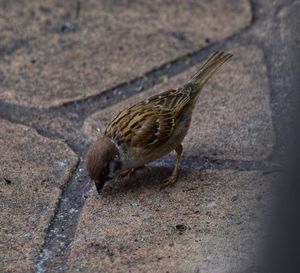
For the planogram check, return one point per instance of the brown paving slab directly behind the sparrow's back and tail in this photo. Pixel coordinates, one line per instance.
(232, 118)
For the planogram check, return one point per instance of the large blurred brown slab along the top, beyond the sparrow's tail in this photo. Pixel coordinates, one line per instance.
(53, 52)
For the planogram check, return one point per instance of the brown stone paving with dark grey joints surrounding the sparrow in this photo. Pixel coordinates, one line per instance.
(67, 67)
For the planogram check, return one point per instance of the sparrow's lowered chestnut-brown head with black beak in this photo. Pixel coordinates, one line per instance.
(102, 161)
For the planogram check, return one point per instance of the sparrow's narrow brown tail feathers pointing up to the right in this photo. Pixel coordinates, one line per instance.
(209, 68)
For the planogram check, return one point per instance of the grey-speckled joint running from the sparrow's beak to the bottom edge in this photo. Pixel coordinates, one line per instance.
(61, 229)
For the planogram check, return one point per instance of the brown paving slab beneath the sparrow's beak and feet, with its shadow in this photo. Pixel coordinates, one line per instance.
(208, 222)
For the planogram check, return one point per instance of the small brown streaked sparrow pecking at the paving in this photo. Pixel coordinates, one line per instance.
(149, 129)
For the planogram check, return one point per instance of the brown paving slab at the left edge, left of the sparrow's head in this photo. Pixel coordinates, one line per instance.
(32, 171)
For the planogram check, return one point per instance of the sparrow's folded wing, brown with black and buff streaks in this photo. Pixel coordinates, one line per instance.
(150, 122)
